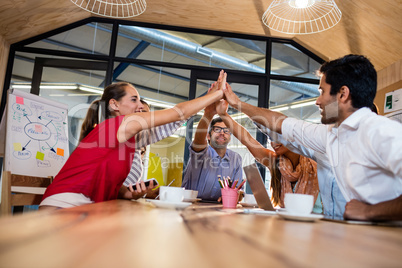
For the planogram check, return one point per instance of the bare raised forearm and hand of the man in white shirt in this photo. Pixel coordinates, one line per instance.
(270, 119)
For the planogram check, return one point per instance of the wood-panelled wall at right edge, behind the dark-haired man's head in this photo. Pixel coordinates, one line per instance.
(389, 79)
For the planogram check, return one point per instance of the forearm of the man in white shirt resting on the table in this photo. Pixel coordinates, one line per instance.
(384, 211)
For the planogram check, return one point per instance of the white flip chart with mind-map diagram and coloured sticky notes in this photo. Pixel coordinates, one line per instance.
(36, 135)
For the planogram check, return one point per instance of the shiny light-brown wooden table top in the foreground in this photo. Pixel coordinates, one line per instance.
(124, 233)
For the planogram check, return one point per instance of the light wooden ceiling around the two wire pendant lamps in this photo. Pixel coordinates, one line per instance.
(369, 27)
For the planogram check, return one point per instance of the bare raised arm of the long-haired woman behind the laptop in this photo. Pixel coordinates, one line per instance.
(261, 154)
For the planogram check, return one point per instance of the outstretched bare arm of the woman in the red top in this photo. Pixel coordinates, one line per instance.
(134, 123)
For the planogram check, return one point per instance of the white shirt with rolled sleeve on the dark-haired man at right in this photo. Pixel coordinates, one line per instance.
(365, 153)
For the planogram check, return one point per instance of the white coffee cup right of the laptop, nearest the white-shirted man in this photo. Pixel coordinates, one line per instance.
(300, 204)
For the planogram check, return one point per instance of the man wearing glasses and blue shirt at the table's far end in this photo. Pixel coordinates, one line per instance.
(209, 157)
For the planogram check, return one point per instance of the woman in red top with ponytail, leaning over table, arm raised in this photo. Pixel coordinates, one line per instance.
(97, 168)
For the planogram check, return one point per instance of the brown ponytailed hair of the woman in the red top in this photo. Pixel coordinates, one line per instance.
(114, 91)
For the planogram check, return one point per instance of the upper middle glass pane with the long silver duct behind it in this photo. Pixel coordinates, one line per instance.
(191, 49)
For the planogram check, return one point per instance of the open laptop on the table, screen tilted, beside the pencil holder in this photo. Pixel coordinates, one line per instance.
(258, 188)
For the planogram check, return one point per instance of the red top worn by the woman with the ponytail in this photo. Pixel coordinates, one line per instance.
(98, 166)
